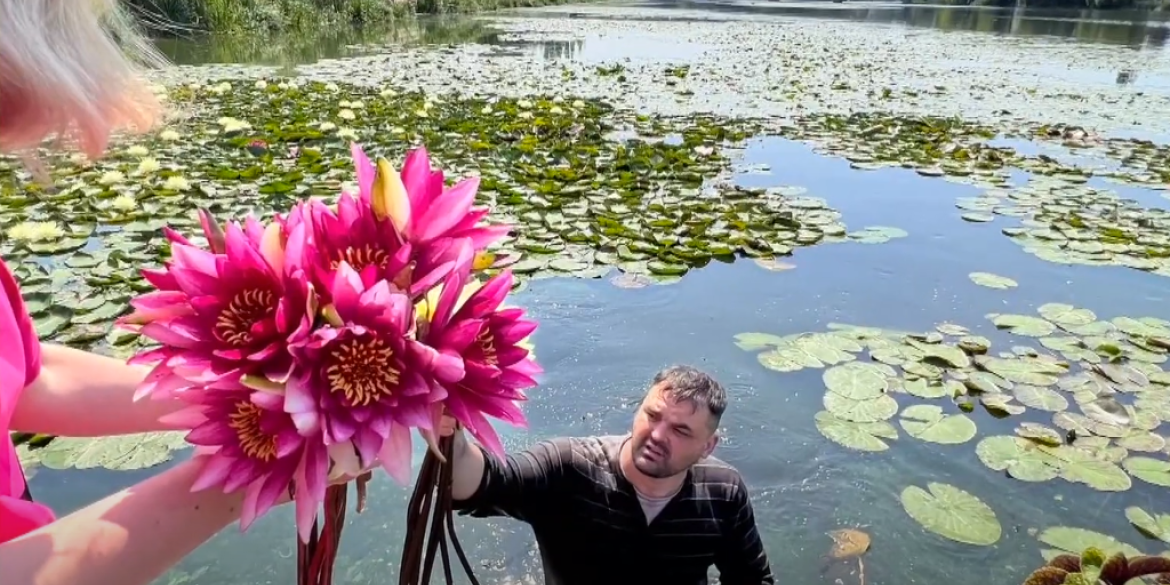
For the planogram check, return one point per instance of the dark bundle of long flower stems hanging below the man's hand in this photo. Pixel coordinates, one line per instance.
(419, 552)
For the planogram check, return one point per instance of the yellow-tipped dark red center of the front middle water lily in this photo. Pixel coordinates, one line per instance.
(362, 370)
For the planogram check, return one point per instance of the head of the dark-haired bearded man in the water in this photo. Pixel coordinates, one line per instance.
(678, 423)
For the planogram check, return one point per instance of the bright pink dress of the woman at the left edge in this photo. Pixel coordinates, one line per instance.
(20, 362)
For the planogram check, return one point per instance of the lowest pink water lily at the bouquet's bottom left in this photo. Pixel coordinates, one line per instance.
(251, 444)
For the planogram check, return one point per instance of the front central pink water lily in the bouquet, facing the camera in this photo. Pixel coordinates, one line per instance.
(362, 380)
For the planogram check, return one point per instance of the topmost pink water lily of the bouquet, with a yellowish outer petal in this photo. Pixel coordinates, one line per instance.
(421, 205)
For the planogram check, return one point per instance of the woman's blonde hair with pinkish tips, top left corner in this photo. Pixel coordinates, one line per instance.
(72, 68)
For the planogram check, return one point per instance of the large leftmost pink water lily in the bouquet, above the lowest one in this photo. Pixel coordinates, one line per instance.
(223, 315)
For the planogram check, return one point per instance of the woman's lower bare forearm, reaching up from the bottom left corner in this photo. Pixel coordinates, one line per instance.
(129, 539)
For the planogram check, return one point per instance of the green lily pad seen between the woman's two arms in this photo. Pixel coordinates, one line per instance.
(116, 453)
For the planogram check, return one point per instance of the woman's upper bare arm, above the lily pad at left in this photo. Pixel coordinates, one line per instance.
(85, 395)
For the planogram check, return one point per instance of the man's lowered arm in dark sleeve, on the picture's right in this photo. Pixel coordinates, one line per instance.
(742, 560)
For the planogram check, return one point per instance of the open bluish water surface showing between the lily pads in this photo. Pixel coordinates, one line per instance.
(601, 345)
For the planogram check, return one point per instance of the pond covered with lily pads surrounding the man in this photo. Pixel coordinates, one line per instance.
(890, 170)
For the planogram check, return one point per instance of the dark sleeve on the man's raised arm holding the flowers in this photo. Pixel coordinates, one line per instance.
(520, 483)
